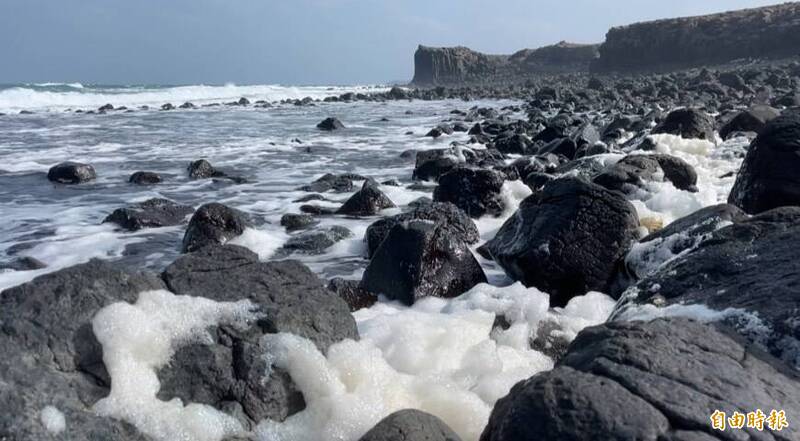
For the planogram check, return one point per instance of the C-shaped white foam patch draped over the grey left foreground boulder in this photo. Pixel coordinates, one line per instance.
(140, 338)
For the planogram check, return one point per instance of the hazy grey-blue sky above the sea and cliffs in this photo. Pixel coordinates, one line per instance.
(290, 41)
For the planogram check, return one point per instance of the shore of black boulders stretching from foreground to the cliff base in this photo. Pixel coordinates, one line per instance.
(706, 318)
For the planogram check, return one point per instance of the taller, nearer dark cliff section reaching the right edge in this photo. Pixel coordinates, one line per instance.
(768, 32)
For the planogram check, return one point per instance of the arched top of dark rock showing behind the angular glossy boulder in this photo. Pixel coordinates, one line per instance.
(448, 215)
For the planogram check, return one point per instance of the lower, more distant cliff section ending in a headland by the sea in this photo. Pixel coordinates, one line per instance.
(457, 65)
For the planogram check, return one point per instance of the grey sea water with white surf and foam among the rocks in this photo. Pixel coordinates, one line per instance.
(441, 356)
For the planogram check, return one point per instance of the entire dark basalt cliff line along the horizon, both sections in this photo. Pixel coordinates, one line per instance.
(771, 32)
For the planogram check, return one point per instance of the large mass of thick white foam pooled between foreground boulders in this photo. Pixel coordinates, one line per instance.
(444, 357)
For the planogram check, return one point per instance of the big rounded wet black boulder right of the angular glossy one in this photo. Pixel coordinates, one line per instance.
(567, 239)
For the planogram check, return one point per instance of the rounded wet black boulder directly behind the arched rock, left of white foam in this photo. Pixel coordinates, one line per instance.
(476, 191)
